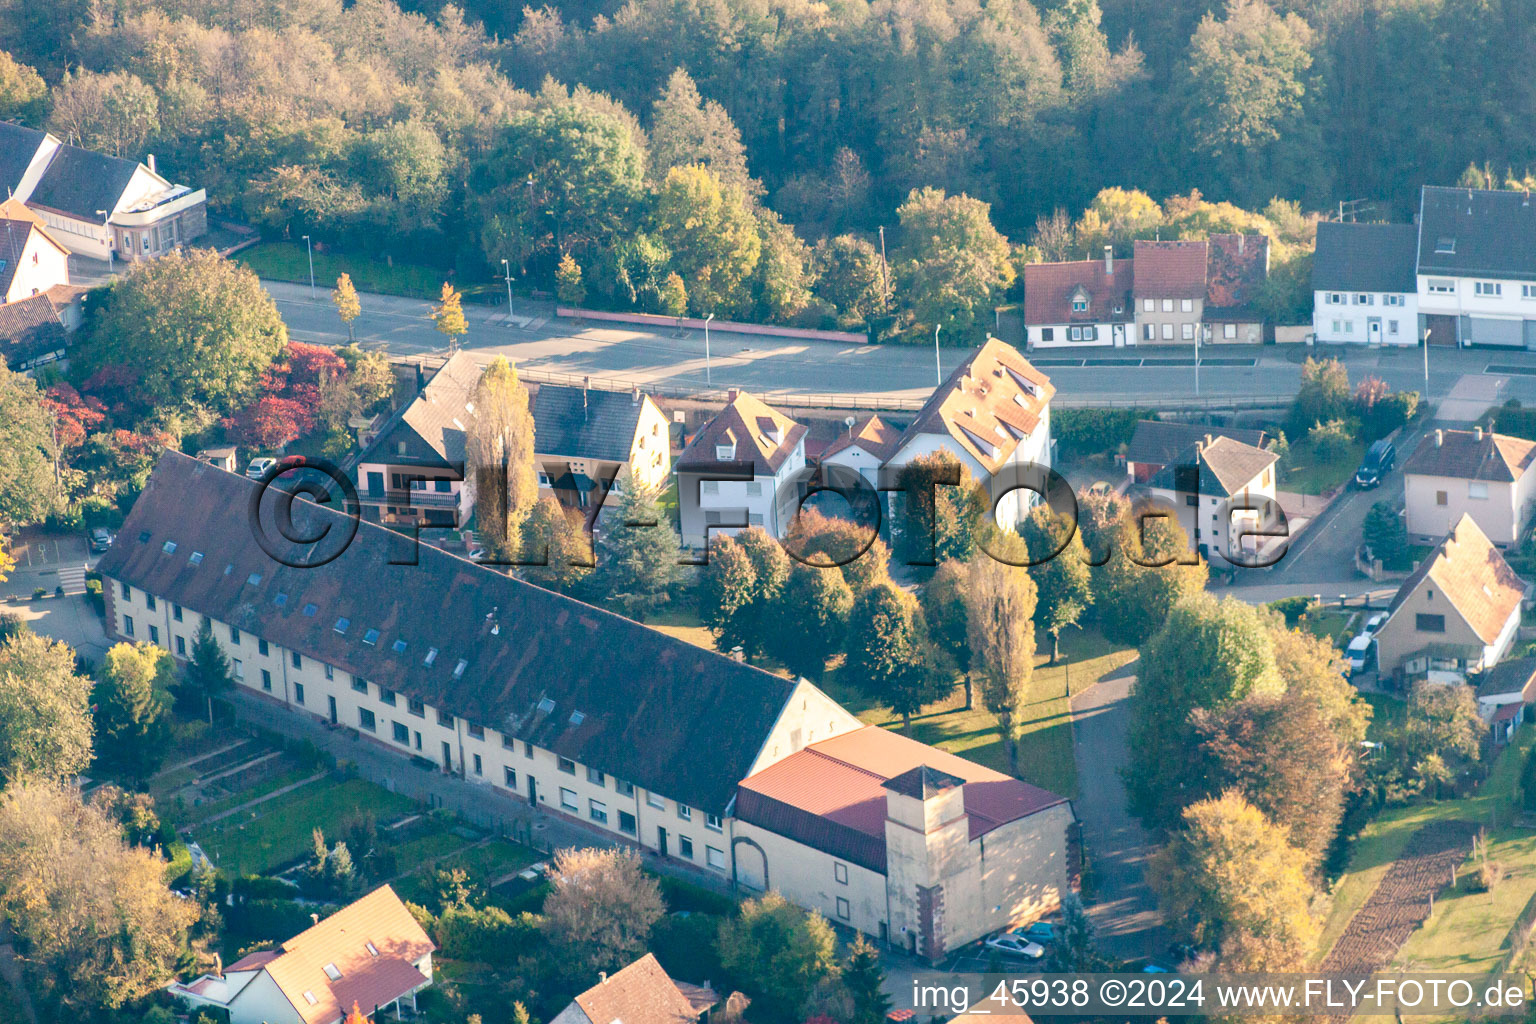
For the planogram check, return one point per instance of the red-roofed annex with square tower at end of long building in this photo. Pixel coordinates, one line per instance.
(904, 842)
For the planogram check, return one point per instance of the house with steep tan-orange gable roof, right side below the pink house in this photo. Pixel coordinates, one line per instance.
(1460, 610)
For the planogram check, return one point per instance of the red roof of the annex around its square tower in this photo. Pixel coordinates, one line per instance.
(832, 794)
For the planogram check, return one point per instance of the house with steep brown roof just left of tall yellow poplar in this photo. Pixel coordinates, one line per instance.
(412, 466)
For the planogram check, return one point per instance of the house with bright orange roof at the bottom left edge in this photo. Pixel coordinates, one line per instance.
(371, 954)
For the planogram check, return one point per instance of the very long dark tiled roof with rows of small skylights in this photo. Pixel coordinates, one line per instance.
(658, 713)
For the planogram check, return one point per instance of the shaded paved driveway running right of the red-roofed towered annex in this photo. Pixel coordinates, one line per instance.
(1124, 908)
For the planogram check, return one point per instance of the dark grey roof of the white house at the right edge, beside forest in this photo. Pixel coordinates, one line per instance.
(1492, 234)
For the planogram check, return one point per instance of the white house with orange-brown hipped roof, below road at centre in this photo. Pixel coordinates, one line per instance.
(743, 469)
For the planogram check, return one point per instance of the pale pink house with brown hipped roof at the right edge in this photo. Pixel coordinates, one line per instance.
(1475, 474)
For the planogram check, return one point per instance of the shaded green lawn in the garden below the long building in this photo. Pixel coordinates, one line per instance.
(279, 833)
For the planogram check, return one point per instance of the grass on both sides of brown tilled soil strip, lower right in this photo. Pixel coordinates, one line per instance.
(1466, 931)
